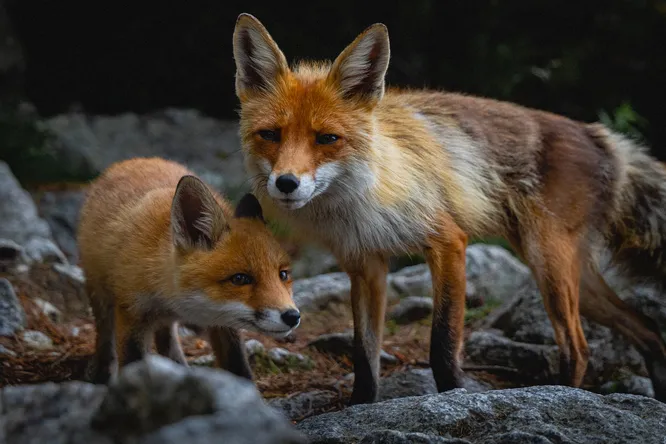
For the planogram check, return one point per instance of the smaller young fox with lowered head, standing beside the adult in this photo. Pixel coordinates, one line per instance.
(159, 246)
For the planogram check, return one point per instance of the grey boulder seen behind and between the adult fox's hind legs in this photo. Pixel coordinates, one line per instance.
(519, 334)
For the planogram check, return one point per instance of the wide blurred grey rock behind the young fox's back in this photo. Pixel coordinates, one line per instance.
(92, 143)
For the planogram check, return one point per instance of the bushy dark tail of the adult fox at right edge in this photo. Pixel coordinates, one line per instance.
(637, 229)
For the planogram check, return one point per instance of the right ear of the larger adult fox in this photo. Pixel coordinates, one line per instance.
(359, 70)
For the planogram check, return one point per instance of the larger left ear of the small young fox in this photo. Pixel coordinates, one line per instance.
(197, 220)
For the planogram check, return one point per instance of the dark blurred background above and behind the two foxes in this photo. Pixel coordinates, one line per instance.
(86, 83)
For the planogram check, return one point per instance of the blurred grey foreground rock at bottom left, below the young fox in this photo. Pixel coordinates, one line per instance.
(154, 401)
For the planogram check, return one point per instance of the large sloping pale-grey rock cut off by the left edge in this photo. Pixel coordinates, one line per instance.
(20, 222)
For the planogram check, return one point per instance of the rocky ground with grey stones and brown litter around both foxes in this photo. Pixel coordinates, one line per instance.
(46, 336)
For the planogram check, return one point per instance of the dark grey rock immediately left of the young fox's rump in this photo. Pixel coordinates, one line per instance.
(61, 211)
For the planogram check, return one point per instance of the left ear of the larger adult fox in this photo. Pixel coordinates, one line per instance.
(259, 61)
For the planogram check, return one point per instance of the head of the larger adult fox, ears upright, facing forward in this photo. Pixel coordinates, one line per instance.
(308, 129)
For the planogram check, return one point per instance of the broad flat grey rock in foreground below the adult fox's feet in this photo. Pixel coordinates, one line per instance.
(542, 414)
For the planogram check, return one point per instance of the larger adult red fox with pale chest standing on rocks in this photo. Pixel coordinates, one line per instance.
(370, 171)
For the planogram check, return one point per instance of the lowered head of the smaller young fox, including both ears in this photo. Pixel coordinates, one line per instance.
(231, 271)
